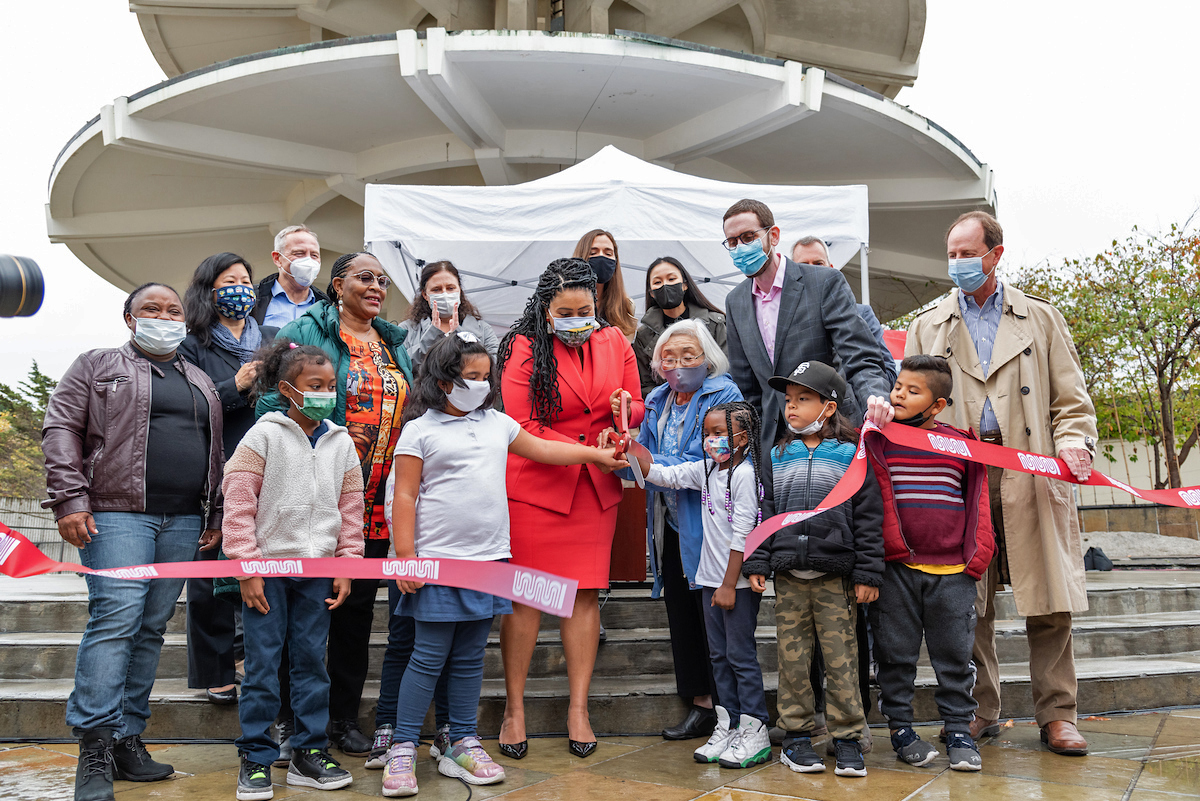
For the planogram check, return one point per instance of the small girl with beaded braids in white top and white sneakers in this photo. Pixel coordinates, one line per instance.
(731, 510)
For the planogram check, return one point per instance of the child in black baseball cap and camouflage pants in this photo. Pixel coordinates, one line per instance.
(824, 567)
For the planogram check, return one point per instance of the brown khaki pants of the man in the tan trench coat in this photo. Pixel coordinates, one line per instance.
(1052, 660)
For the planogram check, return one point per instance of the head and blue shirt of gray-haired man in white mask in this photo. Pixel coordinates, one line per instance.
(289, 293)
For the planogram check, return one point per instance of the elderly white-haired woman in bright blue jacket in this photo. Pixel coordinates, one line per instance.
(695, 371)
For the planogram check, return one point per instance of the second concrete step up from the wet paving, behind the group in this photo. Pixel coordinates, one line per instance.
(646, 652)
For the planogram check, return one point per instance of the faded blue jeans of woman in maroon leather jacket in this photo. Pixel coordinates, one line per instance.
(118, 657)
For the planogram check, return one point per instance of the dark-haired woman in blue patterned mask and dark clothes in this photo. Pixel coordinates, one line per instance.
(223, 338)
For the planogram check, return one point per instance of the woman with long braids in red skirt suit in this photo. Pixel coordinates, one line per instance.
(563, 376)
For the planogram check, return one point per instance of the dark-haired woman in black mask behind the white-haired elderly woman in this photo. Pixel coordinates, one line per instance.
(671, 296)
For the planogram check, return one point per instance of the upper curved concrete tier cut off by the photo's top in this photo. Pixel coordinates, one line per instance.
(872, 43)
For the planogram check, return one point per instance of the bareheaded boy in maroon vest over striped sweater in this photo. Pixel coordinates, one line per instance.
(938, 541)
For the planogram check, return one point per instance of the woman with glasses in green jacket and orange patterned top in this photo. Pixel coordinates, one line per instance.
(374, 376)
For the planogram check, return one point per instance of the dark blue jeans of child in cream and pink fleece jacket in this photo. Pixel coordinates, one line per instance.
(299, 617)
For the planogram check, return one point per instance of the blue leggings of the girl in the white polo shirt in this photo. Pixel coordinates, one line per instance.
(458, 649)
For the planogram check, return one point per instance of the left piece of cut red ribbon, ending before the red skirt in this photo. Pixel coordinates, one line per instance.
(535, 588)
